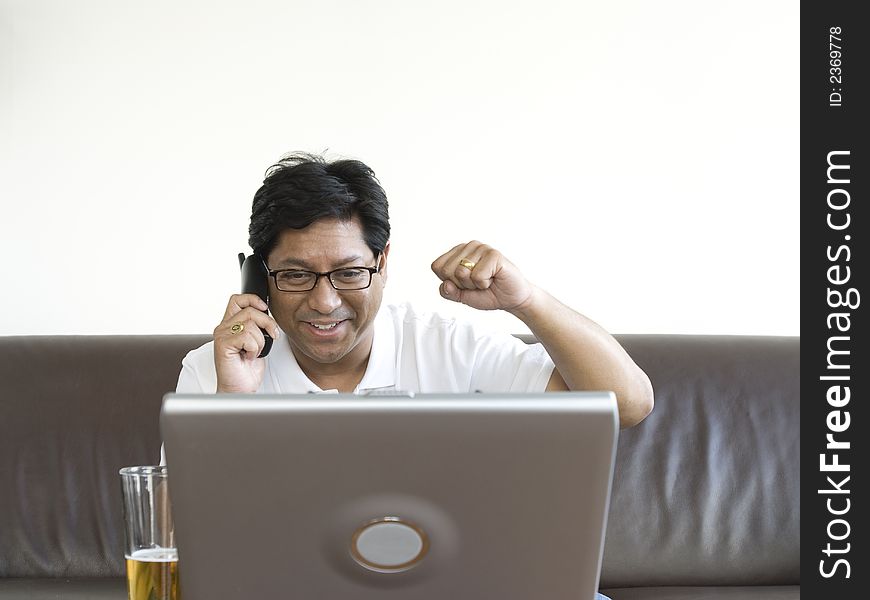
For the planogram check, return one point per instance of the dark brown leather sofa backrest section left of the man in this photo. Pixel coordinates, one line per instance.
(74, 410)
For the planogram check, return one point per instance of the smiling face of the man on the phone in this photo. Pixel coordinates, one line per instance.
(307, 318)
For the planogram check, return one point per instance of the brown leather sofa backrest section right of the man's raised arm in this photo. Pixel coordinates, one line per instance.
(706, 490)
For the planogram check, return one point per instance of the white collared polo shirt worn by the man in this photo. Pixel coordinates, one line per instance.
(411, 352)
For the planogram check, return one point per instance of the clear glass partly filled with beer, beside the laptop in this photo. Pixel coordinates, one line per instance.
(152, 558)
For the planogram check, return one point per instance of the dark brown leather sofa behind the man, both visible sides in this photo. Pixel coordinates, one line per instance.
(705, 501)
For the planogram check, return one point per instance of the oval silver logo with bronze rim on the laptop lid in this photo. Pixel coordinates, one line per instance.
(389, 545)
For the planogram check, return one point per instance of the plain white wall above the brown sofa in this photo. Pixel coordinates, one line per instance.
(638, 159)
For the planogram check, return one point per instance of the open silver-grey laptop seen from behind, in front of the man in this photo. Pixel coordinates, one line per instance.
(418, 497)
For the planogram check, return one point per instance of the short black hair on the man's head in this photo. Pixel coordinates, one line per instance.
(302, 188)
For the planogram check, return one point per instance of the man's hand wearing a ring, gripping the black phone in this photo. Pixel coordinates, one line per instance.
(238, 341)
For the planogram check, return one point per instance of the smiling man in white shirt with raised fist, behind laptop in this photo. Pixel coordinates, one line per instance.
(322, 231)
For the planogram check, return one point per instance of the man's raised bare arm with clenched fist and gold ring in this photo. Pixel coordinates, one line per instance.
(586, 356)
